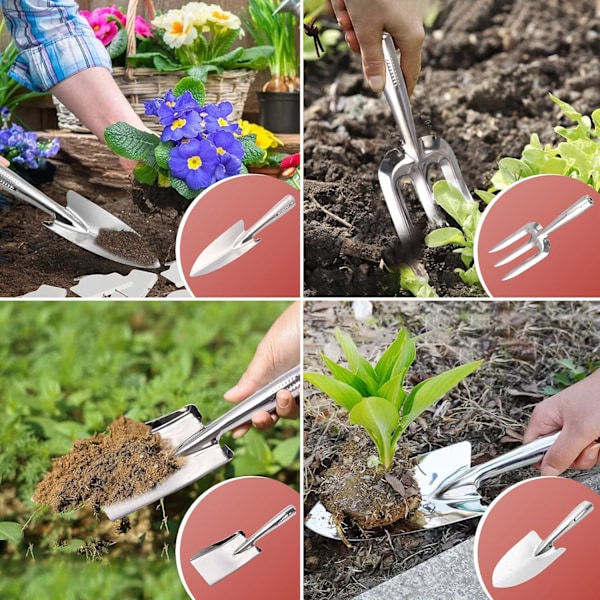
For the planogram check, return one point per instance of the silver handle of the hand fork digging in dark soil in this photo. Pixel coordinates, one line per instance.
(397, 96)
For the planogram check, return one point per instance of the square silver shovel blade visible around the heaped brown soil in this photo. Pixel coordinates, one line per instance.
(176, 427)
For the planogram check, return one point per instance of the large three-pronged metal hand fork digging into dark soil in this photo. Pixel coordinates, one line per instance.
(415, 159)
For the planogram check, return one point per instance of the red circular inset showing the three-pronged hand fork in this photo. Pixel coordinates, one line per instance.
(538, 239)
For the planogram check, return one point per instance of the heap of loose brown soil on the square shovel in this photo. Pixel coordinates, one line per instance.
(126, 461)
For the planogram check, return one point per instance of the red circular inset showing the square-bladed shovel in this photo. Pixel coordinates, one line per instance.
(241, 538)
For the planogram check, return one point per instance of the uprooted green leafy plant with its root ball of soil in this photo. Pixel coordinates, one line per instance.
(360, 489)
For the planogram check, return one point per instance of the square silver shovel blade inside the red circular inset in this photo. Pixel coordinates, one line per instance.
(220, 560)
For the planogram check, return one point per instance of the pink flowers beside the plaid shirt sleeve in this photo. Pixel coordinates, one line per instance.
(107, 23)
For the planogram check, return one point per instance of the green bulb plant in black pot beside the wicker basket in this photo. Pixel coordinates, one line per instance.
(279, 101)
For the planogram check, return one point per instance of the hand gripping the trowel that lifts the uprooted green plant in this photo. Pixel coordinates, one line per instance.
(576, 413)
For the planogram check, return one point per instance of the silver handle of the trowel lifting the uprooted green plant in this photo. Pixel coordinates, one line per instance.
(523, 456)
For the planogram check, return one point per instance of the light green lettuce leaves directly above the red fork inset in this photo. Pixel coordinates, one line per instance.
(578, 156)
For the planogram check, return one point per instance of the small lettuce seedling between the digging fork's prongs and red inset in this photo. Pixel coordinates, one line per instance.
(467, 215)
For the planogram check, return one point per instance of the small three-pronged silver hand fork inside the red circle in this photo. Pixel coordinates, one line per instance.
(538, 238)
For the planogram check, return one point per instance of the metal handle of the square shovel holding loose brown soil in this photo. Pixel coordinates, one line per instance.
(263, 399)
